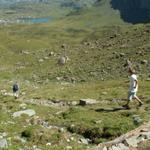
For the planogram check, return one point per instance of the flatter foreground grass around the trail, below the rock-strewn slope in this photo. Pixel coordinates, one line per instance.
(81, 121)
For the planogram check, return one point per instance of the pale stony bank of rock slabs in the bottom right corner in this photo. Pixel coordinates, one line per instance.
(128, 141)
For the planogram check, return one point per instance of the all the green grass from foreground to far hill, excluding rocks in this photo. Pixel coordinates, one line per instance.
(87, 62)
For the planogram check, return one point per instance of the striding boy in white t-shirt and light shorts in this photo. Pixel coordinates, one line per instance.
(133, 88)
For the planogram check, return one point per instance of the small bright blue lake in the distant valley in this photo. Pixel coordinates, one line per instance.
(29, 20)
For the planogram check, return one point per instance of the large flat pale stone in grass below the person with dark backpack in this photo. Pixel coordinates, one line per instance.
(29, 112)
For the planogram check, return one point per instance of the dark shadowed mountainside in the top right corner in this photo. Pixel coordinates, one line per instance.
(135, 11)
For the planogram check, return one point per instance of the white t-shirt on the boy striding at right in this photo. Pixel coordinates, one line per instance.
(133, 79)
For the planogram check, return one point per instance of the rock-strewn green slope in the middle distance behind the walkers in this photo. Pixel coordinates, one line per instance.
(43, 39)
